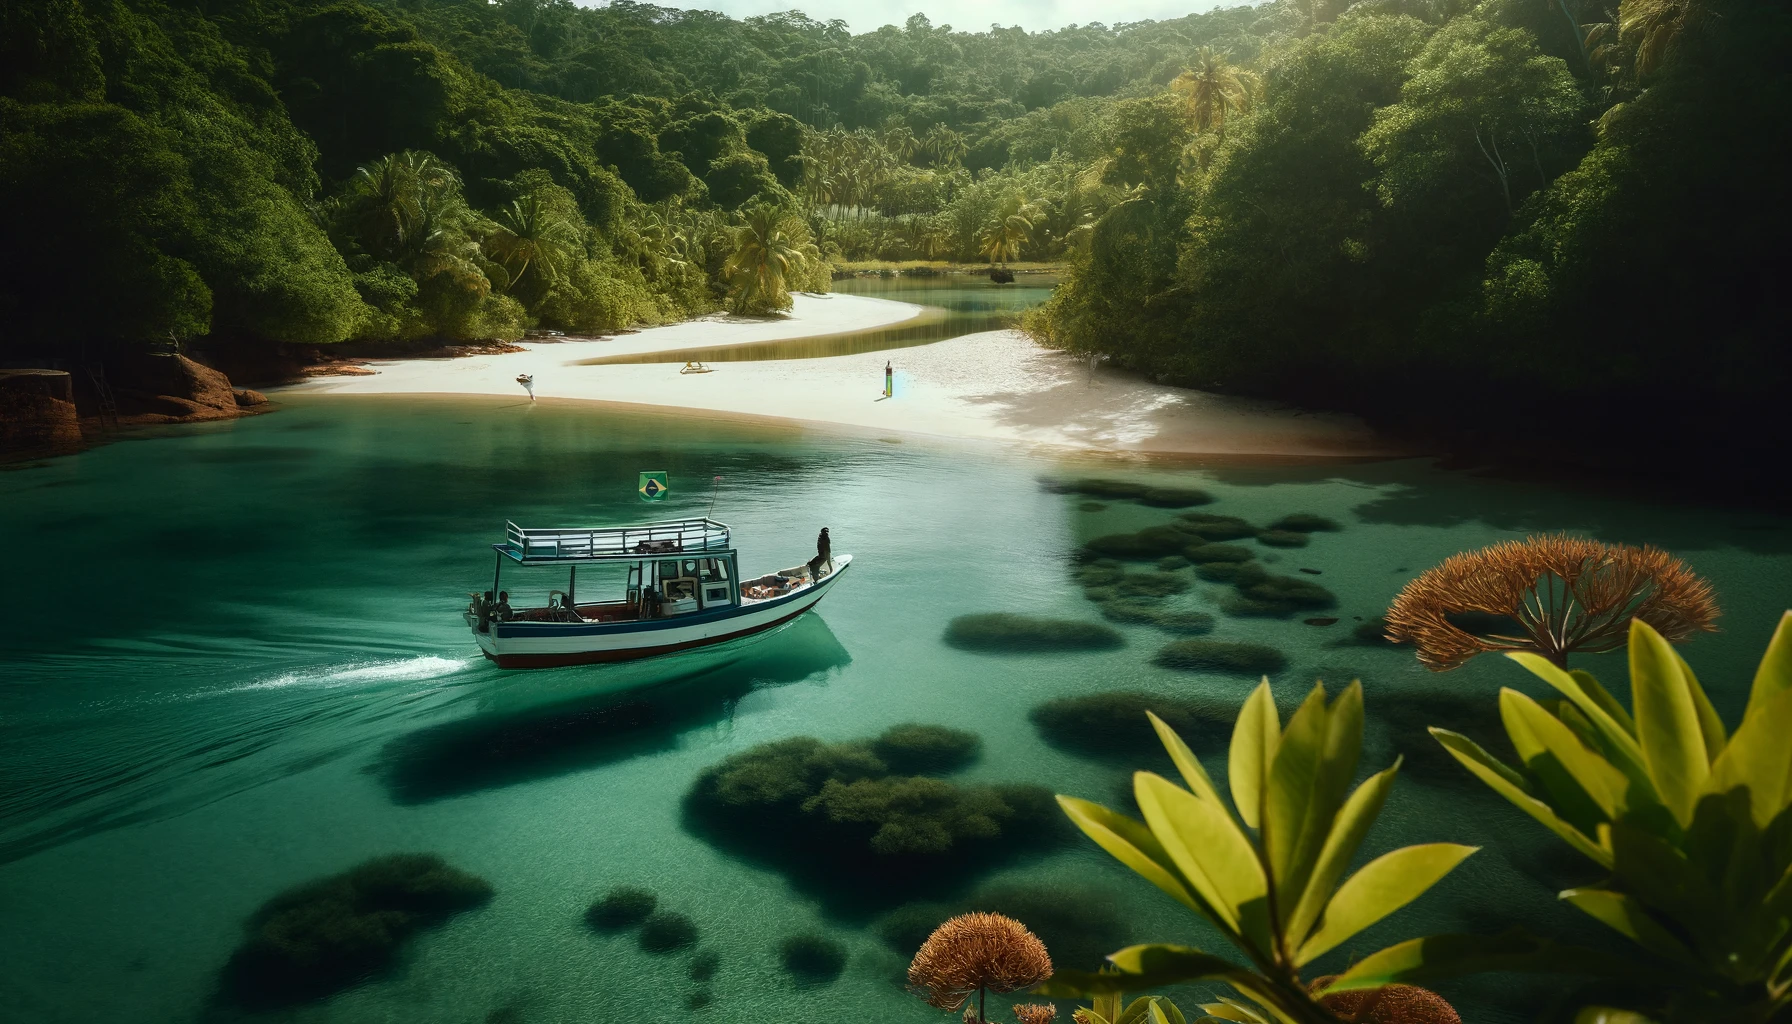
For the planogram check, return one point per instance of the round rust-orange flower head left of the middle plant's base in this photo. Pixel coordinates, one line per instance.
(974, 953)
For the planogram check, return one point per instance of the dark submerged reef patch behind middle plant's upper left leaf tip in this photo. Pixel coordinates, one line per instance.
(1112, 725)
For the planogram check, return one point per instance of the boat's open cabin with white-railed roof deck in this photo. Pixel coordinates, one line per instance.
(612, 575)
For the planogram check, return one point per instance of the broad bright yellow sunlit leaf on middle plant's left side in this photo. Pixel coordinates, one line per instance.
(1210, 851)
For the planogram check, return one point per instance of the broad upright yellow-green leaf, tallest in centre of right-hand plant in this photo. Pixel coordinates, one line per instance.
(1667, 722)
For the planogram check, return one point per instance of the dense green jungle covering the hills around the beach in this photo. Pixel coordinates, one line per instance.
(1490, 223)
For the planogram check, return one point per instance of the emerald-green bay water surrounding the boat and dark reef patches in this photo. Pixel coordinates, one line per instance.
(236, 664)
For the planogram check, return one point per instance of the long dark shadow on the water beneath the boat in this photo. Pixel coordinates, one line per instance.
(510, 745)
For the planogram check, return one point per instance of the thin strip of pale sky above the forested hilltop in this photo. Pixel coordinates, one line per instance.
(965, 15)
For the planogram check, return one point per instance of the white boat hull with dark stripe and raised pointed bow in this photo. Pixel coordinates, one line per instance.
(553, 645)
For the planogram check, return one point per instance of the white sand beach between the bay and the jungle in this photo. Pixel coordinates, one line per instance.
(992, 386)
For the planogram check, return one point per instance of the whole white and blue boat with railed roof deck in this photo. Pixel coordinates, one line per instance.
(666, 587)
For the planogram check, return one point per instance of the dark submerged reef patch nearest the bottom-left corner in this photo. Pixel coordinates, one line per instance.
(329, 935)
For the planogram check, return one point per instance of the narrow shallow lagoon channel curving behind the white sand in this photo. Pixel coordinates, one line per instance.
(956, 306)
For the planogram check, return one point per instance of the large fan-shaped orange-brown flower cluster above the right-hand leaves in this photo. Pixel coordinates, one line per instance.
(1565, 593)
